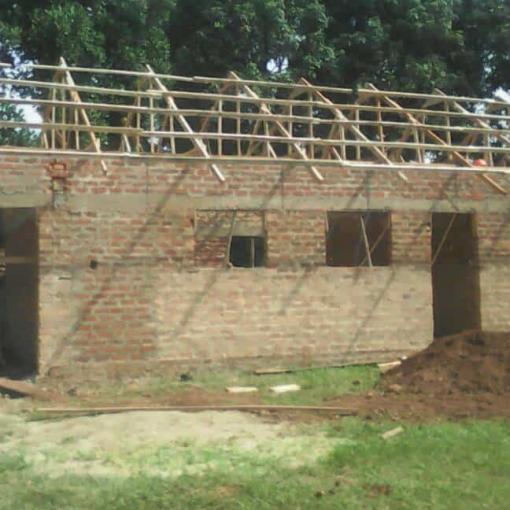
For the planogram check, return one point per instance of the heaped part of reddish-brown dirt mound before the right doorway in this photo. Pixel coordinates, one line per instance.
(473, 362)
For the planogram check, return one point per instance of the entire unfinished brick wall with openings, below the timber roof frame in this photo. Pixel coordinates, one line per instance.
(133, 273)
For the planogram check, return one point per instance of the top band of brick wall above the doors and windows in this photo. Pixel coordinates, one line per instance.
(141, 185)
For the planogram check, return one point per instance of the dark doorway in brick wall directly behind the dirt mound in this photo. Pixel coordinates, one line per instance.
(455, 273)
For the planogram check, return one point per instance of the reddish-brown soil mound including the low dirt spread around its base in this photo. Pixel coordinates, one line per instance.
(461, 376)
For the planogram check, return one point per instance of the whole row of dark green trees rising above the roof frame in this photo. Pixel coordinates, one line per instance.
(461, 46)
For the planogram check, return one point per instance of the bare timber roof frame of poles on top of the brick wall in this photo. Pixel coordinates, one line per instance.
(226, 120)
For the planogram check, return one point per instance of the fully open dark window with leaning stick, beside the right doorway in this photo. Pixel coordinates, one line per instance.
(358, 239)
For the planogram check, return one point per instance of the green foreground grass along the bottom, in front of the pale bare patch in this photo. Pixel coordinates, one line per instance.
(436, 466)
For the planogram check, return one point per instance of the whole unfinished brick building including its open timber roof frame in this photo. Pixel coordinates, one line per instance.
(246, 235)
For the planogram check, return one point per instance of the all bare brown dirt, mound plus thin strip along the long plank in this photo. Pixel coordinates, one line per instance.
(461, 376)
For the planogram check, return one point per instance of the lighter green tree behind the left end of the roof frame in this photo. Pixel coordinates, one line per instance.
(110, 33)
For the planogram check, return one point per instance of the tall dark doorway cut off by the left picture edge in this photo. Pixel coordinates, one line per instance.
(18, 292)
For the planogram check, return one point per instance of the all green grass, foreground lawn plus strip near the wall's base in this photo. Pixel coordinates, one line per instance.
(441, 465)
